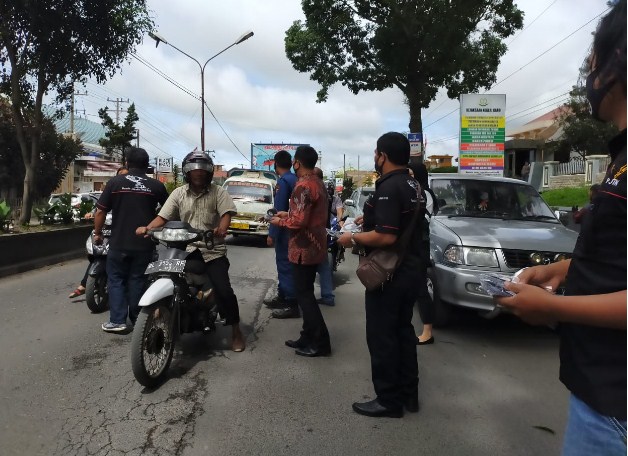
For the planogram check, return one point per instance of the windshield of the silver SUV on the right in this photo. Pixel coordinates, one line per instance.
(491, 199)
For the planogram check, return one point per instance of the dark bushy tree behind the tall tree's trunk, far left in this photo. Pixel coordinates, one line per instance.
(57, 153)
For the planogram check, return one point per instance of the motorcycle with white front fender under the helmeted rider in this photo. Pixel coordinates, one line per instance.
(179, 300)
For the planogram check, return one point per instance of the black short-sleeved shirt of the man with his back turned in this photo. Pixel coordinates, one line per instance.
(133, 198)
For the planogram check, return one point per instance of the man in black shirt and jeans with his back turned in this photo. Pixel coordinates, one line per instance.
(132, 199)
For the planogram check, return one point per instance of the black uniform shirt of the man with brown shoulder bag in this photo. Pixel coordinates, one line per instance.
(390, 210)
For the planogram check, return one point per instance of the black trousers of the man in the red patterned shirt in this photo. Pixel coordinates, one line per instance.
(314, 331)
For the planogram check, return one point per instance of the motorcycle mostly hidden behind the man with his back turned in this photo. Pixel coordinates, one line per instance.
(96, 295)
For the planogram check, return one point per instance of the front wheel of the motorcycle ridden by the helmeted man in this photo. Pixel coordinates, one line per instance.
(152, 344)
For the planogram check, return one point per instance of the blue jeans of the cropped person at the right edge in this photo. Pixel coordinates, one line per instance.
(590, 433)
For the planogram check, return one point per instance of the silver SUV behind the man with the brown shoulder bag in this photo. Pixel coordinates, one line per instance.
(487, 225)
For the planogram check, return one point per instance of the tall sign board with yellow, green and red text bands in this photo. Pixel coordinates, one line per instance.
(482, 134)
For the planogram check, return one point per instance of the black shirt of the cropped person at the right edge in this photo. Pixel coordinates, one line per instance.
(593, 360)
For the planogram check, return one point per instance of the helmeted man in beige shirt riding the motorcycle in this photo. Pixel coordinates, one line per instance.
(206, 206)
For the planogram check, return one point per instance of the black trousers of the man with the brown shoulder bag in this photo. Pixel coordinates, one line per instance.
(391, 338)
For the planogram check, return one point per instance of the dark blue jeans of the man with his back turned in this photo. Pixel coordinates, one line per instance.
(126, 282)
